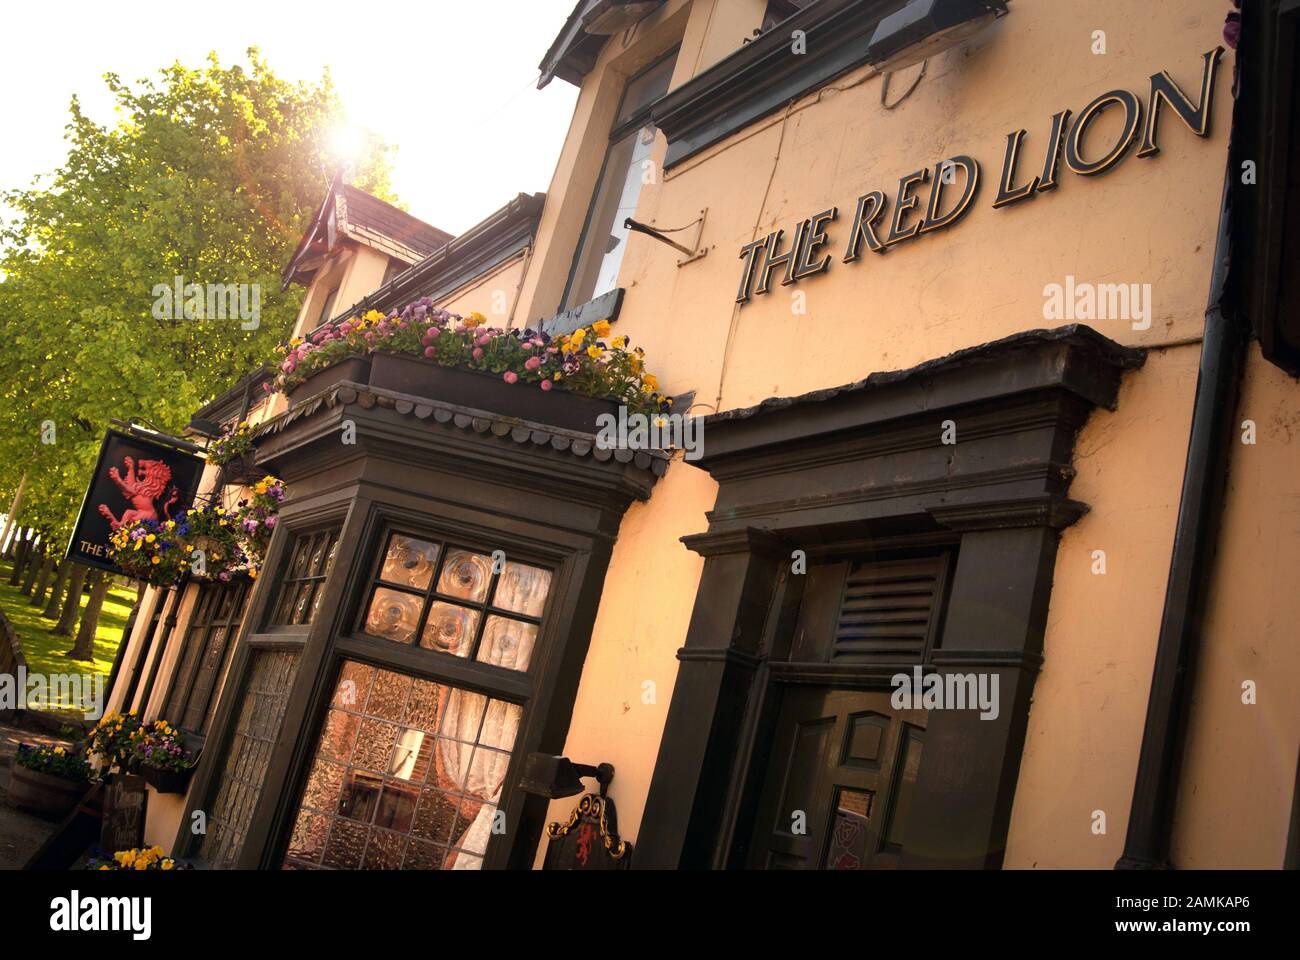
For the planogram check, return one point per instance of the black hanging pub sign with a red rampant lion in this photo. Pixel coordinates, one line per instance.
(135, 479)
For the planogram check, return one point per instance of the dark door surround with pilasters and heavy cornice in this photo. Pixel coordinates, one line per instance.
(857, 468)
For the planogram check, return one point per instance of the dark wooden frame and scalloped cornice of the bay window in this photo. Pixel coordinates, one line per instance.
(437, 478)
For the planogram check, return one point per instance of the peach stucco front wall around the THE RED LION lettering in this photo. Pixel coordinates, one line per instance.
(1147, 222)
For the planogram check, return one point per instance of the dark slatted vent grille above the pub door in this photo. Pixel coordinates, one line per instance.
(890, 608)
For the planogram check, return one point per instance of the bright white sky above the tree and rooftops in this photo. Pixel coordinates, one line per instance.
(453, 85)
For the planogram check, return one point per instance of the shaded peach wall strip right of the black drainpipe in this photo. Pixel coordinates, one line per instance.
(1241, 766)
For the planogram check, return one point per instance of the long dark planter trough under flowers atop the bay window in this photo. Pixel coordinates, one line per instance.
(488, 392)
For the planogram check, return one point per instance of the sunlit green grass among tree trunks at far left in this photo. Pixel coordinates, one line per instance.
(45, 652)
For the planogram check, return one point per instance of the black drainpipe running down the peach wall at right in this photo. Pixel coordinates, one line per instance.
(1147, 845)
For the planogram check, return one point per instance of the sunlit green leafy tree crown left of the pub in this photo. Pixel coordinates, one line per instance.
(210, 175)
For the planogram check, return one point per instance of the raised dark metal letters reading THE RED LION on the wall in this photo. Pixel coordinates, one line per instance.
(881, 222)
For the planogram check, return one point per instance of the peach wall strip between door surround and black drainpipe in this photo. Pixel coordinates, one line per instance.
(1090, 702)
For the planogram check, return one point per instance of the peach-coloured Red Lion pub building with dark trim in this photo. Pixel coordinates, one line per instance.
(998, 391)
